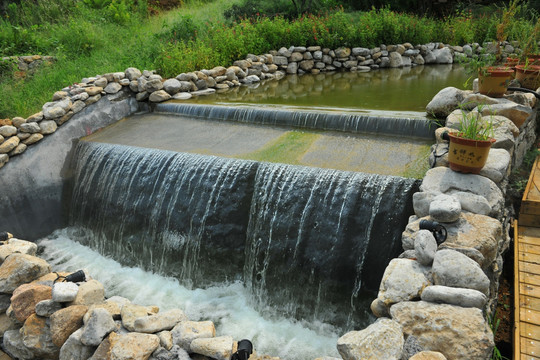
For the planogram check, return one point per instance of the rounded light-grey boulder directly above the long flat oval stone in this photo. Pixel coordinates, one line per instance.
(454, 269)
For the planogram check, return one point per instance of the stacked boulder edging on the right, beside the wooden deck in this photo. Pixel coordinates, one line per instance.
(441, 295)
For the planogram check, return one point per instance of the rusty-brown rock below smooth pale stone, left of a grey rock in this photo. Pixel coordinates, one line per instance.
(65, 322)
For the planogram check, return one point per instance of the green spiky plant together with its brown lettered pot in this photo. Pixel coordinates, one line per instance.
(470, 143)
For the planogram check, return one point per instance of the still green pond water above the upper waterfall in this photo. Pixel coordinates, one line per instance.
(385, 90)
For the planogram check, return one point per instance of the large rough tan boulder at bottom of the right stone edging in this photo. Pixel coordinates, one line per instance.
(456, 332)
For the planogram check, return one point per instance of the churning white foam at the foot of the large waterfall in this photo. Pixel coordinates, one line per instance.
(228, 306)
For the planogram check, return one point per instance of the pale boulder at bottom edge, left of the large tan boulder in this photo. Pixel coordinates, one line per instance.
(380, 340)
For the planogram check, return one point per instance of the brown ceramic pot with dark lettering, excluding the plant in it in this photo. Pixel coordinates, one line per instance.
(466, 155)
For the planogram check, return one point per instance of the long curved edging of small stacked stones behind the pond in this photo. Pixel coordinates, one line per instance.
(147, 86)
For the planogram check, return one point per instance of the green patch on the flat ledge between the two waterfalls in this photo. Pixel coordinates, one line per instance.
(288, 148)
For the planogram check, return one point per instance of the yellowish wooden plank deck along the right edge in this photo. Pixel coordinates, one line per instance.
(527, 271)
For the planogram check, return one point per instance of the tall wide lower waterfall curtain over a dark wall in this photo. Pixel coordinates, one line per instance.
(306, 241)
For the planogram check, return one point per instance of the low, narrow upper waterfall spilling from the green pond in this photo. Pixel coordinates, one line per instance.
(409, 127)
